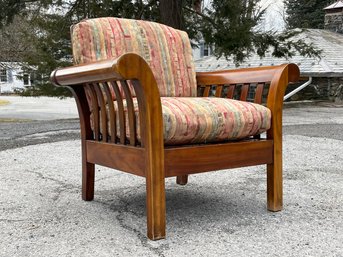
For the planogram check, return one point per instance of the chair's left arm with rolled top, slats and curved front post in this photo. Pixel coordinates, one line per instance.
(97, 76)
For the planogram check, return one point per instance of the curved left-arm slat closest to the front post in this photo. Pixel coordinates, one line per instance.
(130, 112)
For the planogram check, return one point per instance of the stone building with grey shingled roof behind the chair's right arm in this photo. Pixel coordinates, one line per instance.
(324, 75)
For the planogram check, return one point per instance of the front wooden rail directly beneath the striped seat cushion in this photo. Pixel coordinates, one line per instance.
(181, 160)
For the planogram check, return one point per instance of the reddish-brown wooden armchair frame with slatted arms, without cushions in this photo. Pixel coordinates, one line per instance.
(150, 158)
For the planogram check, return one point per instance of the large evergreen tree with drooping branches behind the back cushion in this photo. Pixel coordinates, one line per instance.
(228, 25)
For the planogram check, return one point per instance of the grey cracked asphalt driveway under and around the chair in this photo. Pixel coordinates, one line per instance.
(220, 213)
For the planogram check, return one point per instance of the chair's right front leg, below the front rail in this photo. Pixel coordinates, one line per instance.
(274, 184)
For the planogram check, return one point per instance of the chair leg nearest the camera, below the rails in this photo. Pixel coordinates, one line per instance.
(156, 207)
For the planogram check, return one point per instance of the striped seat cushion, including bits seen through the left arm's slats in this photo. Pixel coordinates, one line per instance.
(189, 120)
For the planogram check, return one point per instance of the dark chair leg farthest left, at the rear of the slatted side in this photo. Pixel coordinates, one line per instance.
(88, 174)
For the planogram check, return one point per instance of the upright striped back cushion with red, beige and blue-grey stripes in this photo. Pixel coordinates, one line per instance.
(166, 50)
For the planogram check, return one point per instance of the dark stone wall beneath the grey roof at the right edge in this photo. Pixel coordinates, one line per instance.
(330, 89)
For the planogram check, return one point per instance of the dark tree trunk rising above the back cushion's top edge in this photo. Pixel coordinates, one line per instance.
(171, 13)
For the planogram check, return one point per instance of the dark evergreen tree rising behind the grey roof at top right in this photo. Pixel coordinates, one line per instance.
(305, 13)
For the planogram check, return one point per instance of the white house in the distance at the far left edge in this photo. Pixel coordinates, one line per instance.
(12, 77)
